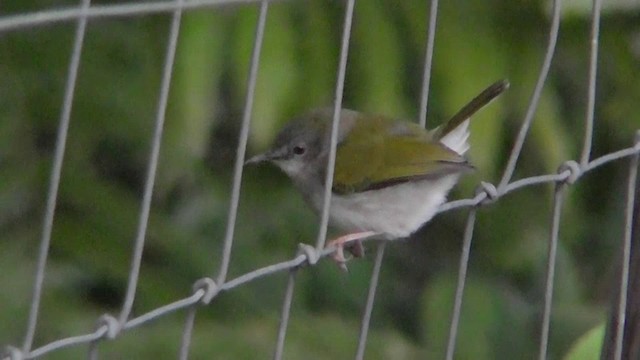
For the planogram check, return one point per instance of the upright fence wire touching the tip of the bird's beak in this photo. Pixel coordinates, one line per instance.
(242, 142)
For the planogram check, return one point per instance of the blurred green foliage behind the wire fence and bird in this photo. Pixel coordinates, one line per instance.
(109, 142)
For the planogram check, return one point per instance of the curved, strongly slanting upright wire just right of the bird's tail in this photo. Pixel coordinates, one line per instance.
(533, 102)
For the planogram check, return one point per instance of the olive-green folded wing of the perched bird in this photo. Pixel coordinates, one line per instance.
(367, 160)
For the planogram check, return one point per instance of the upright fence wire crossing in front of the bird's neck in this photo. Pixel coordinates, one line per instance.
(337, 106)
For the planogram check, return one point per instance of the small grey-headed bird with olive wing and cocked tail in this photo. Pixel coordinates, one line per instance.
(390, 175)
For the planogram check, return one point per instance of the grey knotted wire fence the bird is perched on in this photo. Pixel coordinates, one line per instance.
(204, 290)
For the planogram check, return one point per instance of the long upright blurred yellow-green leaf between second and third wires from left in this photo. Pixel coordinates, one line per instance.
(194, 94)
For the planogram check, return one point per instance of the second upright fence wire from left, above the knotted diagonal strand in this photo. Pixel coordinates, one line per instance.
(145, 209)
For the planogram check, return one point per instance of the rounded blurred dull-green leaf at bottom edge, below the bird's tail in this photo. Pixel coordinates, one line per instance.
(493, 325)
